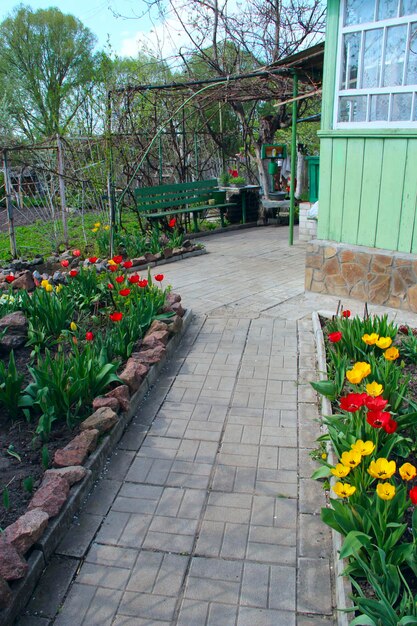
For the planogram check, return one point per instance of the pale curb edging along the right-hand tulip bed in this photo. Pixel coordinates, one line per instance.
(342, 585)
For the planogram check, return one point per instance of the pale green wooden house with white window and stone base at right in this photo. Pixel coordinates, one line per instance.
(366, 243)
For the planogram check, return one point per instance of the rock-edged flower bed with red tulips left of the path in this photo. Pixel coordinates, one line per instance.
(94, 342)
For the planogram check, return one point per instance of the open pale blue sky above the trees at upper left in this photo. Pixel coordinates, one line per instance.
(124, 32)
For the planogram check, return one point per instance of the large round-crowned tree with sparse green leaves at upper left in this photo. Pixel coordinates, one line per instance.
(46, 69)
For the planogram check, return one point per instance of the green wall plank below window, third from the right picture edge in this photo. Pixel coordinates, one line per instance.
(371, 181)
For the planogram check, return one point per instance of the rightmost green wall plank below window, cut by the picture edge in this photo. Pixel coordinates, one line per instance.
(409, 203)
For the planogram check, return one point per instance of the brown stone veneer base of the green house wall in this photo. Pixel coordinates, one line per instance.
(369, 274)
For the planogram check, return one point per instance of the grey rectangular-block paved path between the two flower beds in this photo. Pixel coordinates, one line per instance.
(205, 514)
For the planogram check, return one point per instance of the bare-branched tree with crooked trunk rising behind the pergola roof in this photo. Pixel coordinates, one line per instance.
(223, 42)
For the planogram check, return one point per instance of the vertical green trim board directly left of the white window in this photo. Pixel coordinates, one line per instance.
(329, 67)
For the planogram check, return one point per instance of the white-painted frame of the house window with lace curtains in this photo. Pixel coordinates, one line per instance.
(370, 91)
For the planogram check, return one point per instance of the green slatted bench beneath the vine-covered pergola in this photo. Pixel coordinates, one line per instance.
(156, 203)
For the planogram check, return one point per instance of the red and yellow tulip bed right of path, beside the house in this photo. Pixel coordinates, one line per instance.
(371, 463)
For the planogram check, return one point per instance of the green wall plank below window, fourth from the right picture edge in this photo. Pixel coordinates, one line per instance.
(353, 188)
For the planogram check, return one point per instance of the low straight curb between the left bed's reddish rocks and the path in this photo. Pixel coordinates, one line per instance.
(44, 548)
